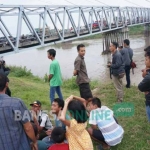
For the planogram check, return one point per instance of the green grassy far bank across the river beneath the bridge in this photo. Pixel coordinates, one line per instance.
(135, 30)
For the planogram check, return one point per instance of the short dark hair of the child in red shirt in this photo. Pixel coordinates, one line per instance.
(58, 134)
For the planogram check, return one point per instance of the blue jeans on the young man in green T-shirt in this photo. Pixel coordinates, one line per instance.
(54, 89)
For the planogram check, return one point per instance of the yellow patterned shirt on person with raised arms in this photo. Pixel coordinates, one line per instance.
(77, 136)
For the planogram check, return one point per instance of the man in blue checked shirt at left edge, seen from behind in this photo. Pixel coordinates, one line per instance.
(16, 131)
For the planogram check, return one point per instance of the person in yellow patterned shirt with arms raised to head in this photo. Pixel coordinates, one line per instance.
(76, 133)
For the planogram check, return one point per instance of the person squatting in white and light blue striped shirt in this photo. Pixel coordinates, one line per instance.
(109, 132)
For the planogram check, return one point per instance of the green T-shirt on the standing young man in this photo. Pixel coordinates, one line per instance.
(55, 70)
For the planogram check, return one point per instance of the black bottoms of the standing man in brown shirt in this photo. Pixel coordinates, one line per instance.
(85, 91)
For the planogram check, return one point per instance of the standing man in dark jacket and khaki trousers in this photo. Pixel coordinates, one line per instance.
(117, 68)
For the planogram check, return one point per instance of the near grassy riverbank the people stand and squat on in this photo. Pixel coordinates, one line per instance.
(29, 88)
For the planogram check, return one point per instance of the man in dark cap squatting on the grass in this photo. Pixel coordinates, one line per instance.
(40, 118)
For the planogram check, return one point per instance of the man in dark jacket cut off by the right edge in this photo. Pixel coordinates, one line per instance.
(144, 85)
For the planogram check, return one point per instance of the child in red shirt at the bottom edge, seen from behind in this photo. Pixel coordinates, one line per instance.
(58, 136)
